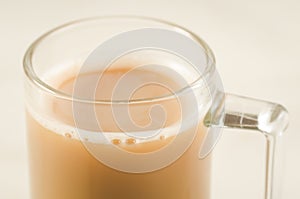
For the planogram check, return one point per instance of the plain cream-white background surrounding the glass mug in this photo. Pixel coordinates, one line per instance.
(257, 47)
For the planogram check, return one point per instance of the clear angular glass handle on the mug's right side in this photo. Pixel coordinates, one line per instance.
(270, 119)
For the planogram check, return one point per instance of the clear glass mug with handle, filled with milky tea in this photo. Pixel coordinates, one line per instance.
(140, 126)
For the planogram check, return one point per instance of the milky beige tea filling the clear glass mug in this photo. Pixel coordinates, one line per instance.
(65, 165)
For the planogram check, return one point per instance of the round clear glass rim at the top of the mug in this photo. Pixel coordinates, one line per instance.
(30, 73)
